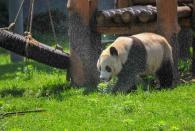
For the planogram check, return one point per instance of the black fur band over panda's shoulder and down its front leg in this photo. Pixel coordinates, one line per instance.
(135, 64)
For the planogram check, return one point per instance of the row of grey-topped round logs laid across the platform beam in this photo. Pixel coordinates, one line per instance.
(144, 14)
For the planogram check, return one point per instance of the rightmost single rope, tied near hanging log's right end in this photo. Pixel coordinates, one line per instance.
(53, 28)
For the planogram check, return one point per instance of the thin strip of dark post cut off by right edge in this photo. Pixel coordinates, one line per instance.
(193, 43)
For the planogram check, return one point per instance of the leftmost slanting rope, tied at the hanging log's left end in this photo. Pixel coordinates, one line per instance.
(12, 25)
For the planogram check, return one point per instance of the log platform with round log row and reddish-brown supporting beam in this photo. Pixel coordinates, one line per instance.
(136, 19)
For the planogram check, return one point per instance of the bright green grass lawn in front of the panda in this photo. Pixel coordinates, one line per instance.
(29, 86)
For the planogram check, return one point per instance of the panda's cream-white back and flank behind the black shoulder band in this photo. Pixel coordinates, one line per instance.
(157, 49)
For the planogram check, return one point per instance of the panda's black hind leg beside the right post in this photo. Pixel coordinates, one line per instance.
(165, 74)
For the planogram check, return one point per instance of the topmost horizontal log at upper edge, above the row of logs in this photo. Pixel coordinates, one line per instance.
(153, 2)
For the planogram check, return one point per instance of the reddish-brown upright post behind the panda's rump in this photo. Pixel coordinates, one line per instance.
(168, 27)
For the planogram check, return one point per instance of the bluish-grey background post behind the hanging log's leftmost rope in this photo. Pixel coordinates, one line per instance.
(13, 10)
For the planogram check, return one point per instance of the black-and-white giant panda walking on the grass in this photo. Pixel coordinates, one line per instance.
(136, 55)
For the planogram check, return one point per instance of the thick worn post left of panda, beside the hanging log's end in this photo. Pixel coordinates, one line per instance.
(85, 43)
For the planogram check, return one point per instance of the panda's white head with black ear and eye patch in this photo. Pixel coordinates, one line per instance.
(109, 63)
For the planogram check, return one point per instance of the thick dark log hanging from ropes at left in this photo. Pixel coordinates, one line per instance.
(33, 50)
